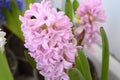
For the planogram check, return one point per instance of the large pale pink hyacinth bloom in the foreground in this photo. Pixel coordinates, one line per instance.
(49, 39)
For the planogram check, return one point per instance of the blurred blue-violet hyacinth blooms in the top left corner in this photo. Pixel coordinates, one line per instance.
(6, 4)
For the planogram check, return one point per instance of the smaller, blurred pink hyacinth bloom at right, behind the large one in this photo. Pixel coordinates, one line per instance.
(91, 15)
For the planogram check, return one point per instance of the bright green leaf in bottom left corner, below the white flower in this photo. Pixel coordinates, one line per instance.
(5, 73)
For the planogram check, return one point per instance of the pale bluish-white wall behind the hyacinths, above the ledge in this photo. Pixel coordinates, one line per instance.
(112, 25)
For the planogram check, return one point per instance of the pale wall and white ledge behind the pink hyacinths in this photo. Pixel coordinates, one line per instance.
(112, 27)
